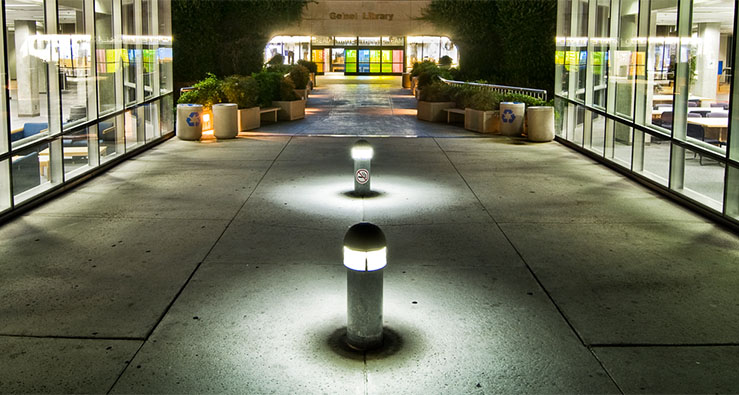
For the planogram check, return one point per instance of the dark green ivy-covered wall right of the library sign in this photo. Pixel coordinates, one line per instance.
(507, 42)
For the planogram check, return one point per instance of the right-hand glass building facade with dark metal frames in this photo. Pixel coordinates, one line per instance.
(647, 86)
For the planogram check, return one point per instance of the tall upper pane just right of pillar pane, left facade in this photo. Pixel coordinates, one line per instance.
(76, 77)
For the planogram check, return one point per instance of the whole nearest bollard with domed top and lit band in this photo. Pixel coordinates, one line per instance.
(365, 256)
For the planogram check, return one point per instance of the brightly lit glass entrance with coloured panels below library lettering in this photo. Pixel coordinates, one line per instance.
(380, 55)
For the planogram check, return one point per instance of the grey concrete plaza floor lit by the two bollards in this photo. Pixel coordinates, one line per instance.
(513, 267)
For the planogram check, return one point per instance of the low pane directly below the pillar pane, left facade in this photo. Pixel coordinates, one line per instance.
(30, 171)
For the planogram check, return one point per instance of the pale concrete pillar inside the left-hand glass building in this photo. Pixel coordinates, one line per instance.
(26, 69)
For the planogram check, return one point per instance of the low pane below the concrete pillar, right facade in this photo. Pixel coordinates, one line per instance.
(703, 179)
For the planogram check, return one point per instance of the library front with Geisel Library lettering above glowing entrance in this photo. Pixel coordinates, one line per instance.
(362, 37)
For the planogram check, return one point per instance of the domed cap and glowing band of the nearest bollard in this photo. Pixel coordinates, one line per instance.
(365, 247)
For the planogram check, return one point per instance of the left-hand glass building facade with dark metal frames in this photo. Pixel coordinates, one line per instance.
(86, 83)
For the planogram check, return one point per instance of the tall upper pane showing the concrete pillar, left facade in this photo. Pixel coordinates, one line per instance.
(28, 56)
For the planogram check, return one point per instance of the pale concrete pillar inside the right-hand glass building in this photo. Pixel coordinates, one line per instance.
(706, 62)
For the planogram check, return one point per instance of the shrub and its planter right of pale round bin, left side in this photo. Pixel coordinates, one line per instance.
(244, 91)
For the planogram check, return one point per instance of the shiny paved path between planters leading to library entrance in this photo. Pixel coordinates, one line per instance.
(368, 106)
